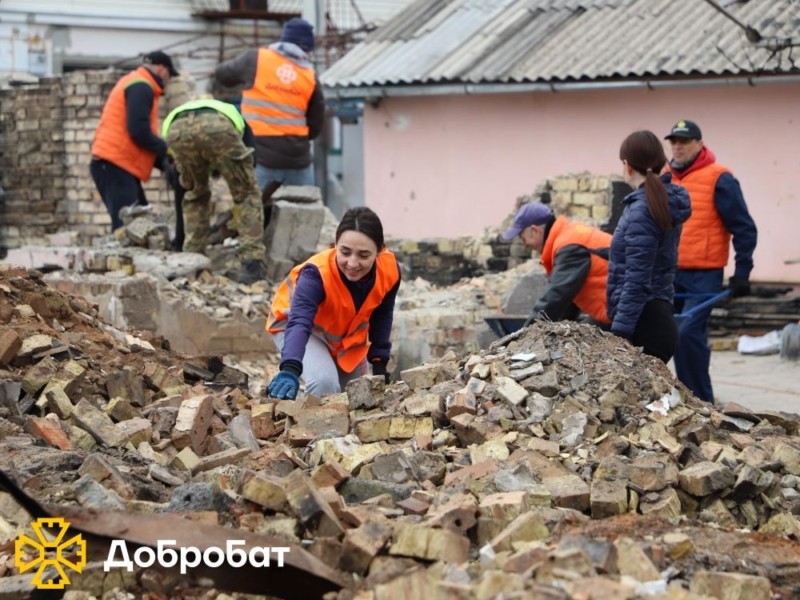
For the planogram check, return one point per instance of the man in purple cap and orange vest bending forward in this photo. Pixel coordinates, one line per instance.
(574, 257)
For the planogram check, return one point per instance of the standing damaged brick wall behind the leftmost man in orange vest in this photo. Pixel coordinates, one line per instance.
(45, 150)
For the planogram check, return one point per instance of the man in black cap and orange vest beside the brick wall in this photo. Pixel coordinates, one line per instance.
(126, 143)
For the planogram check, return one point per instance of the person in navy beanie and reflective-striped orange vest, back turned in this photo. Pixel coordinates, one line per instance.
(282, 103)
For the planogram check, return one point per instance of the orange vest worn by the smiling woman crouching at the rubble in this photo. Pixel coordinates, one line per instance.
(344, 331)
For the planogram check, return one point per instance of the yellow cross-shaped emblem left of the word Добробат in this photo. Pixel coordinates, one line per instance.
(59, 549)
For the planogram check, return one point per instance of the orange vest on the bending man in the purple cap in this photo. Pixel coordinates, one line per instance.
(591, 298)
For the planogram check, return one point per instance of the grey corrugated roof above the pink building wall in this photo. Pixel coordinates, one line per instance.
(516, 41)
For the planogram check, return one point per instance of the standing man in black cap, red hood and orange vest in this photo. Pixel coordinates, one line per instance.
(719, 213)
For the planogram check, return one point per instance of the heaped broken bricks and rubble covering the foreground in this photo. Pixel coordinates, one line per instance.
(558, 463)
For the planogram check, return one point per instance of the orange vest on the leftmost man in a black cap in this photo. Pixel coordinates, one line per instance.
(111, 140)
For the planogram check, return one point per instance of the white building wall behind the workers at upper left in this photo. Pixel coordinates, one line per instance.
(95, 33)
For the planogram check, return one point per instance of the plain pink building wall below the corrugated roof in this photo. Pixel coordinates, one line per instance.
(446, 166)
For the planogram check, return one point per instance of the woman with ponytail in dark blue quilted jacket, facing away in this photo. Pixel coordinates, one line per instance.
(644, 249)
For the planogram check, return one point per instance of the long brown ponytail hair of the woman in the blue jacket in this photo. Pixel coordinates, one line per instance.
(643, 152)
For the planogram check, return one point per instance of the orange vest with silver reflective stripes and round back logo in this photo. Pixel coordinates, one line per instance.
(278, 100)
